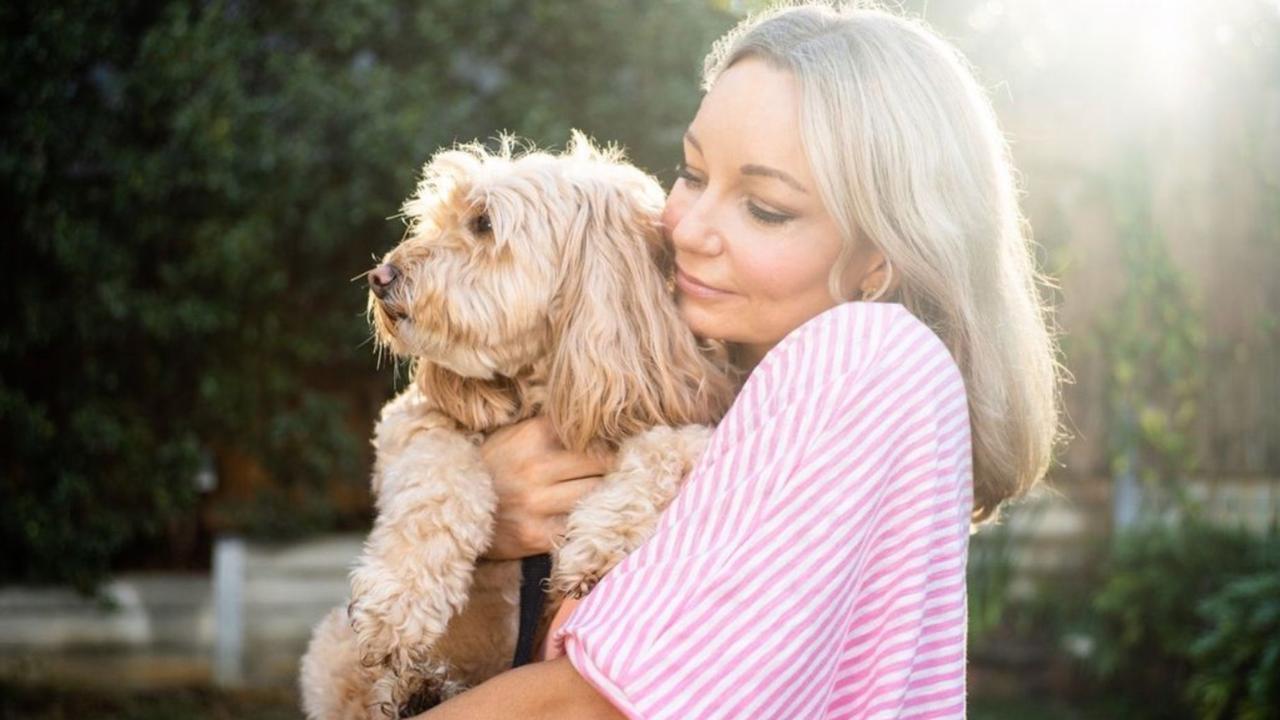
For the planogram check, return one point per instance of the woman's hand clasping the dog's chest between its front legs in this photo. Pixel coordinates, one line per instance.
(538, 482)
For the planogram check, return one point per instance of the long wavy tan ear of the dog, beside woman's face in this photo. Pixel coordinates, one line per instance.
(623, 359)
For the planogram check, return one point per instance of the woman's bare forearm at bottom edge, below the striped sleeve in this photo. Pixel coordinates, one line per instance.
(551, 690)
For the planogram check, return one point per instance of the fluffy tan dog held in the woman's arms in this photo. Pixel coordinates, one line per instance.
(528, 284)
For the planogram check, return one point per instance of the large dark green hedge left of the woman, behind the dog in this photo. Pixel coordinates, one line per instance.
(190, 188)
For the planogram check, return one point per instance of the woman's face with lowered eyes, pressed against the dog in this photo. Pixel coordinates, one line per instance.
(755, 244)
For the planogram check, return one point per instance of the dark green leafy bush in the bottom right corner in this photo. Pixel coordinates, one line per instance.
(1177, 622)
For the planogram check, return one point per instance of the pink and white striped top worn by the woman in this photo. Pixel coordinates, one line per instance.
(815, 563)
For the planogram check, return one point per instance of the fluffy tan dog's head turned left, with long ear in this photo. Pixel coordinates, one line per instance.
(515, 258)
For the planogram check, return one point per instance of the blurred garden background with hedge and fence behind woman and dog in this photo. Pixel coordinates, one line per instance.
(188, 385)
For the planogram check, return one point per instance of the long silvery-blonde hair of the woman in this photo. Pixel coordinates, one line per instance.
(908, 156)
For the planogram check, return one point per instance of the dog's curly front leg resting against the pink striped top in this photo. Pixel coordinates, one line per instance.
(618, 517)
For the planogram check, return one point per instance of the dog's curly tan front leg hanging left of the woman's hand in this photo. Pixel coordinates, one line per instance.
(436, 508)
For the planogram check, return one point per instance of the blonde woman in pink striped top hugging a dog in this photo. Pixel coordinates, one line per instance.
(847, 220)
